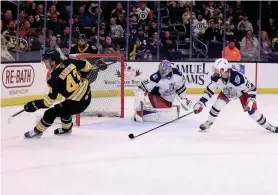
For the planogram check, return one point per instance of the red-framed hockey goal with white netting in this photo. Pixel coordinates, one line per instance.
(107, 86)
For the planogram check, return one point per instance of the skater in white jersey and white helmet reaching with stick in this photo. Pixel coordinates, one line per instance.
(233, 85)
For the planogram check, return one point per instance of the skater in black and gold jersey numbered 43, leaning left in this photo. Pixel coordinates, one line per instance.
(65, 79)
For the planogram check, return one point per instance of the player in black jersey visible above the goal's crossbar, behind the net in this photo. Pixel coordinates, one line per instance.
(83, 47)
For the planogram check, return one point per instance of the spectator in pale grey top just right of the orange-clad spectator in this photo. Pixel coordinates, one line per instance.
(249, 52)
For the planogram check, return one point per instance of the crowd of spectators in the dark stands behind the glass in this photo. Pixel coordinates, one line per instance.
(237, 37)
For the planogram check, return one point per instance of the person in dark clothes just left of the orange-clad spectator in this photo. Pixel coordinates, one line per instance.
(213, 41)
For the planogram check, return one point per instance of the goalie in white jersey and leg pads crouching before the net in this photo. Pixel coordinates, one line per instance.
(161, 88)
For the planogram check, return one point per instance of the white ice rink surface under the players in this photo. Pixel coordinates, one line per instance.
(234, 157)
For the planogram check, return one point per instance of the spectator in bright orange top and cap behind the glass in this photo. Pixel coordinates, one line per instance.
(230, 52)
